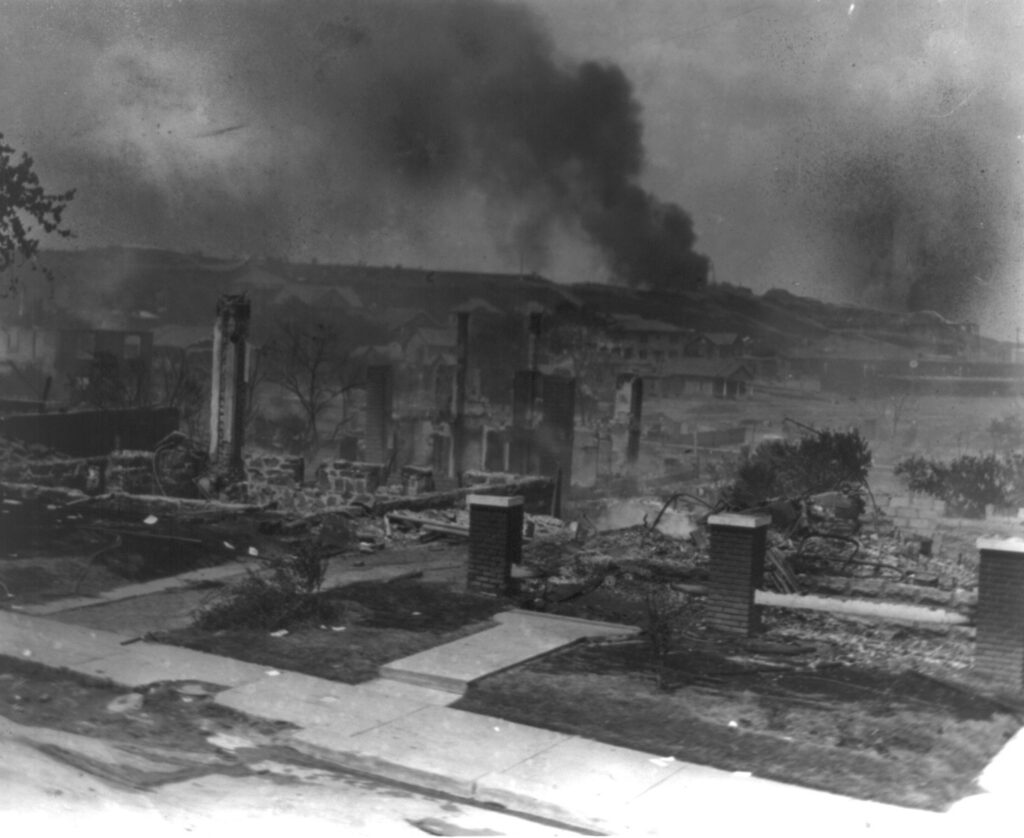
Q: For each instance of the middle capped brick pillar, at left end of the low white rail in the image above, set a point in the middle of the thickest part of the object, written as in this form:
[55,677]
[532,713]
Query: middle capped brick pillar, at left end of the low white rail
[738,561]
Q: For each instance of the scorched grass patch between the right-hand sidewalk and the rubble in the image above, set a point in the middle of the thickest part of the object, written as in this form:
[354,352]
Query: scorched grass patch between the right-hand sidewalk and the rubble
[907,741]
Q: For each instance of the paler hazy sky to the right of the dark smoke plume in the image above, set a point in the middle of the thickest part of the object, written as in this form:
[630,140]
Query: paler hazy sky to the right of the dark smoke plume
[865,152]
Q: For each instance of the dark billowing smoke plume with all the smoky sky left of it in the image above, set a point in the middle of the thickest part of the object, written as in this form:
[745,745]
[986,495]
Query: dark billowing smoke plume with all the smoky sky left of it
[411,131]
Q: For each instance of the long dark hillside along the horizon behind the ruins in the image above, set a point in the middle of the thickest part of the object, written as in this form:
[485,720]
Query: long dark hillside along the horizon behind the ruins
[124,287]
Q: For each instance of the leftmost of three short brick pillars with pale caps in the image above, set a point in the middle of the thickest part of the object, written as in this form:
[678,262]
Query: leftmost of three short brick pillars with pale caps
[495,542]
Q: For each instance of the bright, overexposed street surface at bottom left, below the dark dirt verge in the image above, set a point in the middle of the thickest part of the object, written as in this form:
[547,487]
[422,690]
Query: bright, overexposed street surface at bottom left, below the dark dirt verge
[41,792]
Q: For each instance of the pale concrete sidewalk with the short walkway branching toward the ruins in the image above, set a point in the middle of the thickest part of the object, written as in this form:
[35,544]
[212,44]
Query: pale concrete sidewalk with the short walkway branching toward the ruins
[408,733]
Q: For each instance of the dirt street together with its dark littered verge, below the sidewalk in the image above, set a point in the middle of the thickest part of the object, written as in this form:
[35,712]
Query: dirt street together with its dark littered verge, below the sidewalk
[88,757]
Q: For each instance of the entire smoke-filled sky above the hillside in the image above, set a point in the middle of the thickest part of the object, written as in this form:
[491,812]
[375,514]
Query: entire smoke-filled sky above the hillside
[869,152]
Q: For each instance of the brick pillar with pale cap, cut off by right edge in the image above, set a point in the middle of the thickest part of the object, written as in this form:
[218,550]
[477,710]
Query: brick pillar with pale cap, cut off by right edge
[1000,646]
